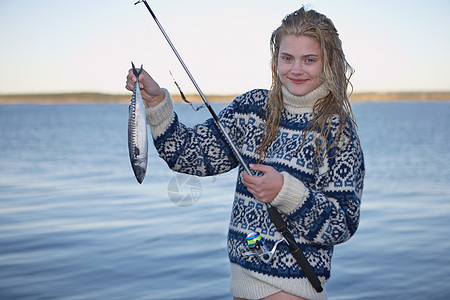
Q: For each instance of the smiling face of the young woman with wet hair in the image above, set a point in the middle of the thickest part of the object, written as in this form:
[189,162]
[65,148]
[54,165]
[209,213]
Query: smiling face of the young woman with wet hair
[299,64]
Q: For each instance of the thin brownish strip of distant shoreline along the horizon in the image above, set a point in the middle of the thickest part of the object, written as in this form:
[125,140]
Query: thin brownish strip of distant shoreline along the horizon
[92,98]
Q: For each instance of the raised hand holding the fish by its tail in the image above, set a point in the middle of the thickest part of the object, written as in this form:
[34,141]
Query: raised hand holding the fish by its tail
[150,90]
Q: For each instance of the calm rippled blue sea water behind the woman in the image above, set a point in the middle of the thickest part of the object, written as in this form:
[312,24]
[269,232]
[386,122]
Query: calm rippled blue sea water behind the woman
[75,224]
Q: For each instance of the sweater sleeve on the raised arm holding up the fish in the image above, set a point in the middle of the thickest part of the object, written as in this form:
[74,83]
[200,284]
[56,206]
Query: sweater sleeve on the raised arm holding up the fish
[201,150]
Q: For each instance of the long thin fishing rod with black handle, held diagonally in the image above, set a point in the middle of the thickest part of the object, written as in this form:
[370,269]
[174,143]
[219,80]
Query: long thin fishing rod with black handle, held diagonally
[274,214]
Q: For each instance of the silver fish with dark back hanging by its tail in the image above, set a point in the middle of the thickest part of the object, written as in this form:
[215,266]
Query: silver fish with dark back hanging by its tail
[137,131]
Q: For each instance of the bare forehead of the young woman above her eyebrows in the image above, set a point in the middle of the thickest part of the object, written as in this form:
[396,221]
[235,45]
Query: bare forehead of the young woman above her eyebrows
[299,45]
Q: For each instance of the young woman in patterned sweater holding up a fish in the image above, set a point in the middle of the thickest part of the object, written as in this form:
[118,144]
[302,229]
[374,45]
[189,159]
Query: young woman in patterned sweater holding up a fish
[299,137]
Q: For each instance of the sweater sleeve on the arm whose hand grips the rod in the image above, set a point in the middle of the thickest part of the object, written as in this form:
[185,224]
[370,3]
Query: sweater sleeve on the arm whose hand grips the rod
[327,211]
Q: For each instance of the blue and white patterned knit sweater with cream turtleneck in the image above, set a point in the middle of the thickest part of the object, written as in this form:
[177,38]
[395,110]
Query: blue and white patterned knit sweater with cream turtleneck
[320,202]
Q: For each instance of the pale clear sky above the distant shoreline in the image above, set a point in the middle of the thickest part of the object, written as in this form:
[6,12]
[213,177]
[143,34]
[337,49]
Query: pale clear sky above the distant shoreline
[65,46]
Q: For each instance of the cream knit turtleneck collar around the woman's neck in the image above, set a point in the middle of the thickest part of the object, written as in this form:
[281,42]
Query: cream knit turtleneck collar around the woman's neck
[298,104]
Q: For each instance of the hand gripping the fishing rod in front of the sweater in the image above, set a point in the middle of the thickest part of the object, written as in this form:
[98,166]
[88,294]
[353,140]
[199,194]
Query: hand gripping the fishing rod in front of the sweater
[265,188]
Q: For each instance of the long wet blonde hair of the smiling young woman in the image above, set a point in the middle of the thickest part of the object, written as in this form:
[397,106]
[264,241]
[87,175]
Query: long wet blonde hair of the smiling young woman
[335,74]
